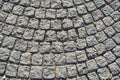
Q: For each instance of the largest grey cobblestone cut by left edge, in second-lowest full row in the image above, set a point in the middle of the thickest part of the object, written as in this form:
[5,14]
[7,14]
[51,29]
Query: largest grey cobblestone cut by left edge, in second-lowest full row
[4,54]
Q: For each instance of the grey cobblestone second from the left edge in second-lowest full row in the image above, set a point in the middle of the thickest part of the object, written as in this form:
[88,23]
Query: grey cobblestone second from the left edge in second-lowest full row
[15,56]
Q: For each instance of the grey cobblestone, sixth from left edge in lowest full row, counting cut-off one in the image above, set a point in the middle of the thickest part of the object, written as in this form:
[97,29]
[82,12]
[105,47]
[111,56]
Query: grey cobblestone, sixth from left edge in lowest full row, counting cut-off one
[61,72]
